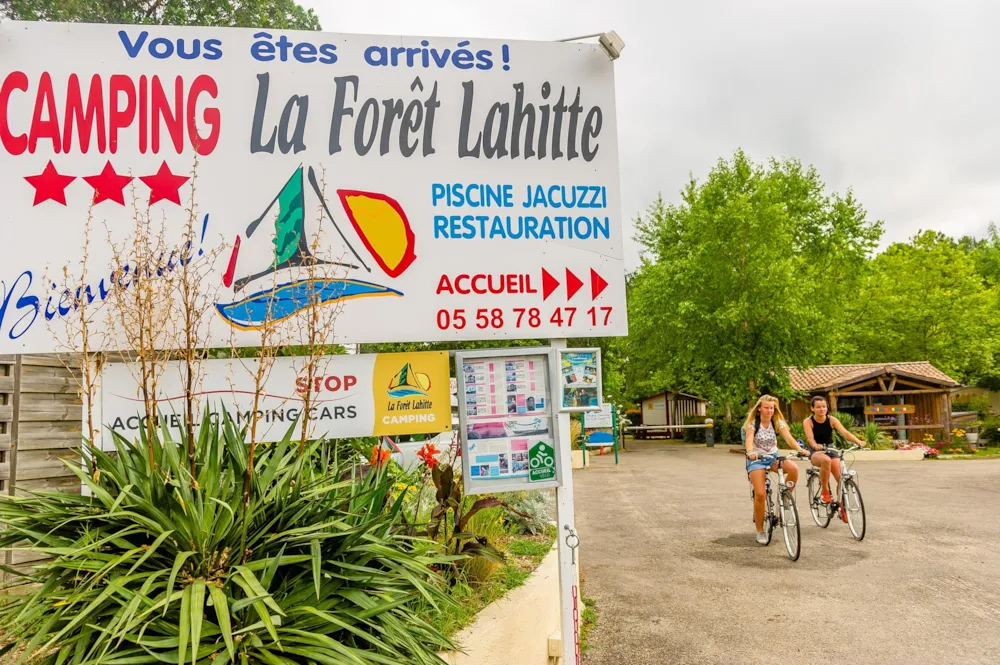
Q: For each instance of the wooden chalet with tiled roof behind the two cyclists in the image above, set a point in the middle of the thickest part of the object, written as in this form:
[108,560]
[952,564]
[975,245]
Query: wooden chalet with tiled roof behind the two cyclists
[905,399]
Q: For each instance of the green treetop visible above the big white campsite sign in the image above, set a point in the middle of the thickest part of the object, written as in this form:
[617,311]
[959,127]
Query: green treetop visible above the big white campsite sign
[275,14]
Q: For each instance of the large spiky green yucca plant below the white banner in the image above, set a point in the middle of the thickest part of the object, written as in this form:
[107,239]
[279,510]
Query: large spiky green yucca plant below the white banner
[152,567]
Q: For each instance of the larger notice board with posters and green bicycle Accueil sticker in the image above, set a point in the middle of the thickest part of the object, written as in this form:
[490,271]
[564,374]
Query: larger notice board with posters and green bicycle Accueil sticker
[508,429]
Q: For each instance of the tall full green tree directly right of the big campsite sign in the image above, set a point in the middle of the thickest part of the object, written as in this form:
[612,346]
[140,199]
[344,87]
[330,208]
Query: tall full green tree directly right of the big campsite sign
[749,274]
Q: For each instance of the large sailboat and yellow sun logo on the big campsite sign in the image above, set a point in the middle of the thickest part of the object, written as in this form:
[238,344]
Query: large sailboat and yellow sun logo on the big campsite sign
[378,221]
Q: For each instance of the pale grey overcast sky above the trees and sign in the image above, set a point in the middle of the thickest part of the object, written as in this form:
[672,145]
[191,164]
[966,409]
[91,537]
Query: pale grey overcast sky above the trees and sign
[897,99]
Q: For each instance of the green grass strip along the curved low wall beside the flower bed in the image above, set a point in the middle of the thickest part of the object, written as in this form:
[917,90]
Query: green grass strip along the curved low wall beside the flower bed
[523,554]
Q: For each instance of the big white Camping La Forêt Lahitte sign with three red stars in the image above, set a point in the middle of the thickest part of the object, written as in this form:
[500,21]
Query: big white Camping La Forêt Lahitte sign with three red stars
[461,189]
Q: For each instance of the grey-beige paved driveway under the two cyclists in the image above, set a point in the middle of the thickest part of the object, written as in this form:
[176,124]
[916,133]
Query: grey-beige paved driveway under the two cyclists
[669,555]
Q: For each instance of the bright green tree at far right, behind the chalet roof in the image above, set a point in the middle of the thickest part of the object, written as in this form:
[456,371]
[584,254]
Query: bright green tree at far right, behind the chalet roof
[925,300]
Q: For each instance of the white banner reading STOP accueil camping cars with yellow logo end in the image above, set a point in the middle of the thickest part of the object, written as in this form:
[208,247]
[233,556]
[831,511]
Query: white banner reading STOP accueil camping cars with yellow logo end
[351,395]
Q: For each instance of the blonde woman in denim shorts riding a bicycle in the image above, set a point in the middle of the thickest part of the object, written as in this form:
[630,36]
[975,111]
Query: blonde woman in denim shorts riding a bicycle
[764,422]
